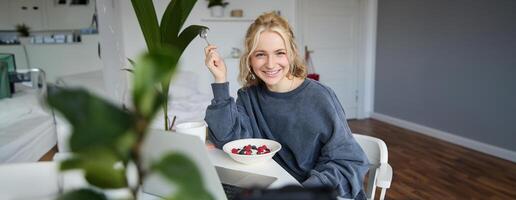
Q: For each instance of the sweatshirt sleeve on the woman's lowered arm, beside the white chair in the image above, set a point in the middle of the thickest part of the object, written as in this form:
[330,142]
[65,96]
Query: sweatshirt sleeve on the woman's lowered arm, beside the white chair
[342,164]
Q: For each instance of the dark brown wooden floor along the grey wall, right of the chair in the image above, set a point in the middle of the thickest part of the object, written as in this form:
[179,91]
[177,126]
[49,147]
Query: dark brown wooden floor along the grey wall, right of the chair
[428,168]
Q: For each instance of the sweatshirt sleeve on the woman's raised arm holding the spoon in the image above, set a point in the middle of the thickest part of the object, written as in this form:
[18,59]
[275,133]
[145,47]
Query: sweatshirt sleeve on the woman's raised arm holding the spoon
[226,119]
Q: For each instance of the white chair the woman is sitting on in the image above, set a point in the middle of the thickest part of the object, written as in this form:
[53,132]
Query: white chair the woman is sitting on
[380,172]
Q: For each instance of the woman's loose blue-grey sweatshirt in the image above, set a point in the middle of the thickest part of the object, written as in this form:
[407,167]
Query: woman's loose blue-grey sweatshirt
[309,122]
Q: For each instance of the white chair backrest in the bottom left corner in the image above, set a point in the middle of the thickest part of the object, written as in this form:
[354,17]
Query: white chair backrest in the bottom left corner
[38,180]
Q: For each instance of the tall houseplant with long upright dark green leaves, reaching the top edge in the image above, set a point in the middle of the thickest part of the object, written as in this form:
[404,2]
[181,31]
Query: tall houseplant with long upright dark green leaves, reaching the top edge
[166,34]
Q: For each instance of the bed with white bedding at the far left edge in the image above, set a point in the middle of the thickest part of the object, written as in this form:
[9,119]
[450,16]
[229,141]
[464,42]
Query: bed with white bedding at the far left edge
[27,129]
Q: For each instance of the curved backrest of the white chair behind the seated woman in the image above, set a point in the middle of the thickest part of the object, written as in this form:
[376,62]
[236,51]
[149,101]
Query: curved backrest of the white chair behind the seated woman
[376,151]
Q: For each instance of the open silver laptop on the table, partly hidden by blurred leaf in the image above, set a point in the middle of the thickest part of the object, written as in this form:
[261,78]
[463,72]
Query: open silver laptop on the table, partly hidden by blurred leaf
[159,143]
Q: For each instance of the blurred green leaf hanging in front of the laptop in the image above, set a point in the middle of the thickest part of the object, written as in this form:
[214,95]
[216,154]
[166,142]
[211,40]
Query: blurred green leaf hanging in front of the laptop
[180,170]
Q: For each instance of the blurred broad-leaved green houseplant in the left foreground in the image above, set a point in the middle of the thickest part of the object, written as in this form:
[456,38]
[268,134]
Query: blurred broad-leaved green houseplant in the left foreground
[105,136]
